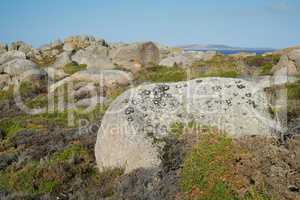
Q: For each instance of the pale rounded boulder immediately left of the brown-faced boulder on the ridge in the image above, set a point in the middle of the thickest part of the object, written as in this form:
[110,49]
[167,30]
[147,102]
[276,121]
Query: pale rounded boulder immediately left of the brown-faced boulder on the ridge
[94,56]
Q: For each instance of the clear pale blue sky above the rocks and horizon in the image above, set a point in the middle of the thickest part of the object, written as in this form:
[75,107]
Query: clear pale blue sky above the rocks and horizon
[255,23]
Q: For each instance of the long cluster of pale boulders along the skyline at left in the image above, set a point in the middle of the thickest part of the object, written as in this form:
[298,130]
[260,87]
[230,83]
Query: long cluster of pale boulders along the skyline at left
[96,54]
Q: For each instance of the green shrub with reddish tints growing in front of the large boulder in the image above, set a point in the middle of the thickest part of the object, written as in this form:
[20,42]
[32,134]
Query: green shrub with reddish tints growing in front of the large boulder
[204,168]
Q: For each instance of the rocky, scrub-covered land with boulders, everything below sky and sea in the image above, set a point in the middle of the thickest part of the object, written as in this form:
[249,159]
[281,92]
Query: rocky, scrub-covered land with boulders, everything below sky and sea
[83,118]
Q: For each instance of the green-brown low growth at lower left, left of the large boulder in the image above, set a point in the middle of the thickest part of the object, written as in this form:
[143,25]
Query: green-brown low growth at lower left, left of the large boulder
[36,178]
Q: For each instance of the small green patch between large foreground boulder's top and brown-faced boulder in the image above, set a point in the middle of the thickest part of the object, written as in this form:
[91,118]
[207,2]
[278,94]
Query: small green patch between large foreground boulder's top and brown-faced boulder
[162,74]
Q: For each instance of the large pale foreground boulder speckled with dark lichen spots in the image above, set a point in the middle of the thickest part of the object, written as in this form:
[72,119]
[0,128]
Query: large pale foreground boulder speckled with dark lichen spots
[134,127]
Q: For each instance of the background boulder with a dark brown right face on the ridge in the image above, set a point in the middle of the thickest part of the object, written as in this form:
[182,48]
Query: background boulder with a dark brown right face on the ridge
[145,54]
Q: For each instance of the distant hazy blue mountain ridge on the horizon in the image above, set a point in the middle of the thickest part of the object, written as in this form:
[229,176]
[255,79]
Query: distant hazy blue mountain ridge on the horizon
[218,47]
